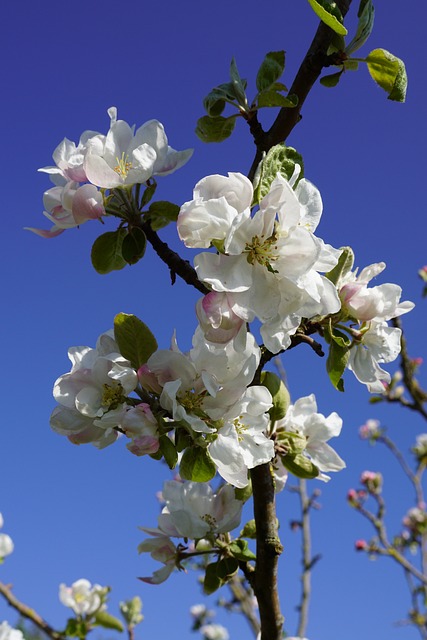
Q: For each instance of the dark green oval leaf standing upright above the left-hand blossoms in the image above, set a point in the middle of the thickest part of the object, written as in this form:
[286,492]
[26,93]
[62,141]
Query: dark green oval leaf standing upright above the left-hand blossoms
[135,340]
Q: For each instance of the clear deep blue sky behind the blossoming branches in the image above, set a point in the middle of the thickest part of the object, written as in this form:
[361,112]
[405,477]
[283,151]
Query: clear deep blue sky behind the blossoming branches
[74,511]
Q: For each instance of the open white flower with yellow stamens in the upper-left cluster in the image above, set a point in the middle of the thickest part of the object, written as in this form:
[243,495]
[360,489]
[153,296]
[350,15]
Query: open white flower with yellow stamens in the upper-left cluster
[126,157]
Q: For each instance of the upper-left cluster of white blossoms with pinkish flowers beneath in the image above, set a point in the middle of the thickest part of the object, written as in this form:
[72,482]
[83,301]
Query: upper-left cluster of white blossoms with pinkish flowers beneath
[121,158]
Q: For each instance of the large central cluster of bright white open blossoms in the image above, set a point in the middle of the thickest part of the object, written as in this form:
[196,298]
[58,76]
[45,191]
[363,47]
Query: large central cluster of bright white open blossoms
[267,265]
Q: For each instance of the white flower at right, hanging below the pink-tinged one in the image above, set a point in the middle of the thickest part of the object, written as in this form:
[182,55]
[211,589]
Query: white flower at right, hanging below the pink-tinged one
[379,343]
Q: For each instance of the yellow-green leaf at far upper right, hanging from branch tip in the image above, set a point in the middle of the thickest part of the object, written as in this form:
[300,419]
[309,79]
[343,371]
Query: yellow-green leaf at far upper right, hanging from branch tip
[389,73]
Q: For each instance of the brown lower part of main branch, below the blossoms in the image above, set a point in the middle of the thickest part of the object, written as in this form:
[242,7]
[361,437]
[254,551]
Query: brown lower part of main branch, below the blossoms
[269,548]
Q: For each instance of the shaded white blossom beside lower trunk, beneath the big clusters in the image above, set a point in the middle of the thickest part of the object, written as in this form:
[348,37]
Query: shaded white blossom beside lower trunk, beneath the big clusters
[194,511]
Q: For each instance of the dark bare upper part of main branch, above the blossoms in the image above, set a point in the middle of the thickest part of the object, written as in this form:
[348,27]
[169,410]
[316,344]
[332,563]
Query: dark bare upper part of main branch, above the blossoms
[311,67]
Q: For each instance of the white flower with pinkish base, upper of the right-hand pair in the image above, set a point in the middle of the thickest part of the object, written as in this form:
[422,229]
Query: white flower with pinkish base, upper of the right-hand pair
[379,303]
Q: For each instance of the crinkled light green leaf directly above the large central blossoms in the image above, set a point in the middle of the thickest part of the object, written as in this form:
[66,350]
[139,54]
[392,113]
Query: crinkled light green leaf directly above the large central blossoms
[280,159]
